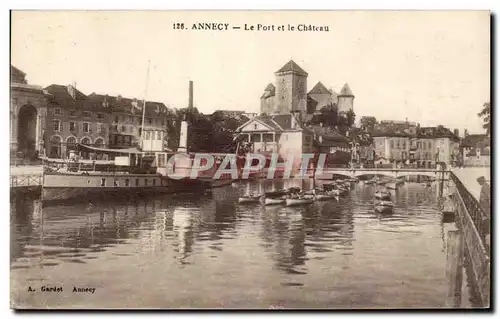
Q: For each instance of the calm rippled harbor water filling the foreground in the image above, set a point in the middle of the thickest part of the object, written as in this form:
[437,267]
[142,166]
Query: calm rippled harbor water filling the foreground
[186,251]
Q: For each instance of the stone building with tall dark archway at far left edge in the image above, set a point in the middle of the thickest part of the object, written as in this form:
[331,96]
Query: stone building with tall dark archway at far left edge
[27,116]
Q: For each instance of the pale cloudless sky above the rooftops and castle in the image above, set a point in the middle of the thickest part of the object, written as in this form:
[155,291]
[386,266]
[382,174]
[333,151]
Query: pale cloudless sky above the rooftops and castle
[427,67]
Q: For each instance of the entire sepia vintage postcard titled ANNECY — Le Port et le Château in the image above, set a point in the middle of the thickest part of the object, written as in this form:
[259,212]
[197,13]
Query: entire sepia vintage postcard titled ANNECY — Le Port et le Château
[250,159]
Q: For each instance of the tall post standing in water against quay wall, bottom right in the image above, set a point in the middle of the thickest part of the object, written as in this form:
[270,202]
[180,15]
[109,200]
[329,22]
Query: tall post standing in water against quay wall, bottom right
[455,257]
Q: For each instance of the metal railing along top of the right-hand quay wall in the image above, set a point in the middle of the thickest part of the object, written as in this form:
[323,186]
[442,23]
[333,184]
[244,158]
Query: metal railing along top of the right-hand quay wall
[479,217]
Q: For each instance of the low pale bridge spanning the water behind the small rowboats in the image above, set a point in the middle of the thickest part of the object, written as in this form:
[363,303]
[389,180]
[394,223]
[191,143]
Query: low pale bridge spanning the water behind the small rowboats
[328,173]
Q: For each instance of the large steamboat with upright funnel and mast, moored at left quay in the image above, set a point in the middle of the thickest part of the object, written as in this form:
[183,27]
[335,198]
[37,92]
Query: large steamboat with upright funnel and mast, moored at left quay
[129,172]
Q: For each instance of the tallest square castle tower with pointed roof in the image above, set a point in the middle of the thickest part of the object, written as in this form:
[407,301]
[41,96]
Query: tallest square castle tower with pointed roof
[291,89]
